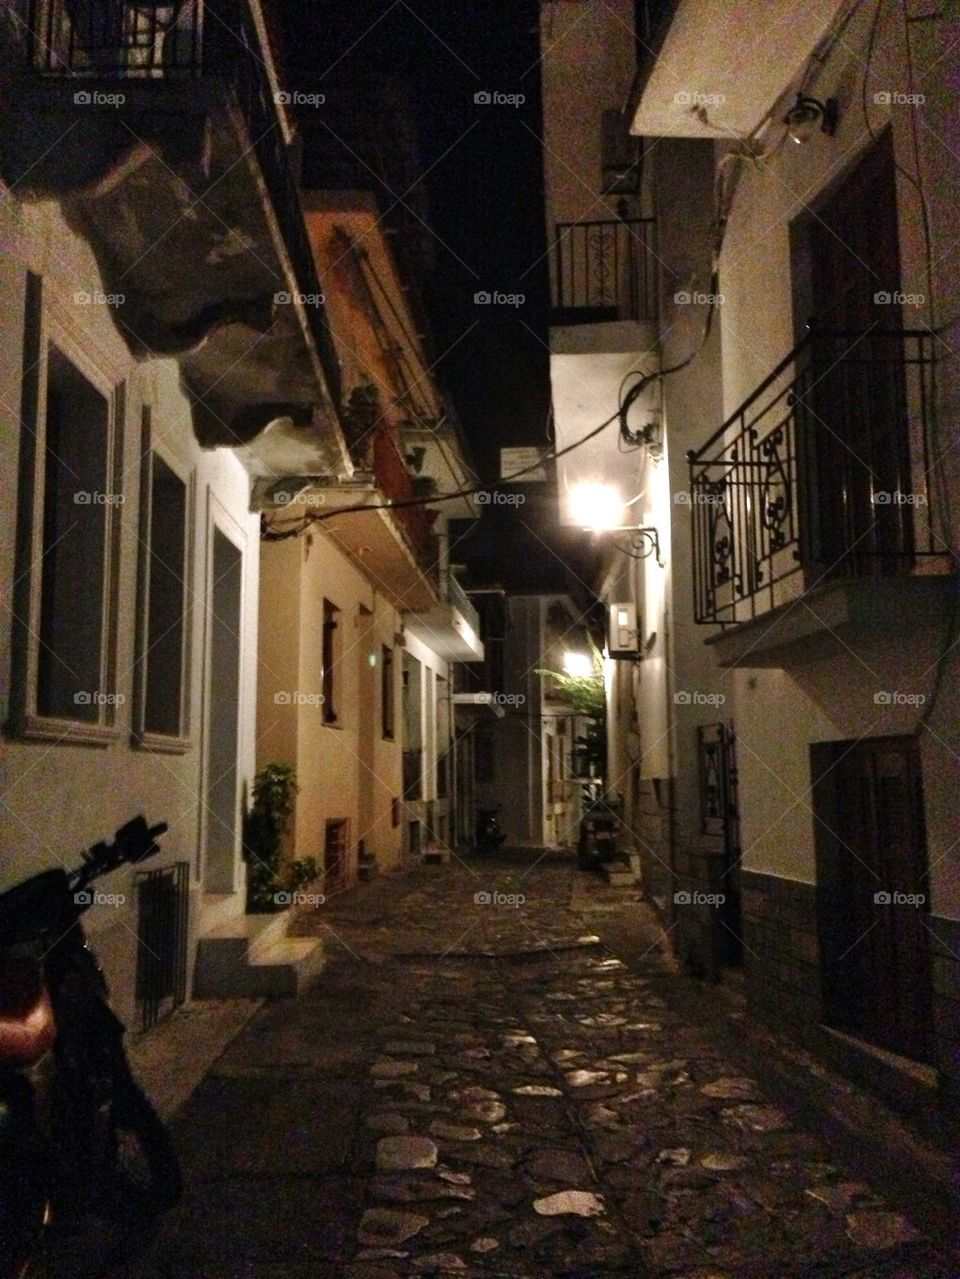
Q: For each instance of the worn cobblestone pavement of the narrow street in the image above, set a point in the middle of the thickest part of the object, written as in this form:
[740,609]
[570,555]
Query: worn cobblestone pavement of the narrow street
[481,1088]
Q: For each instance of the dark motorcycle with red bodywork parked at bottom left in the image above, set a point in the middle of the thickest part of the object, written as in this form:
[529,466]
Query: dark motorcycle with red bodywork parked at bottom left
[86,1163]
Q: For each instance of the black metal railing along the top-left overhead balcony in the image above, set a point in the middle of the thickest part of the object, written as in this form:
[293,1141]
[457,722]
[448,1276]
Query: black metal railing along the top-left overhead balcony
[187,40]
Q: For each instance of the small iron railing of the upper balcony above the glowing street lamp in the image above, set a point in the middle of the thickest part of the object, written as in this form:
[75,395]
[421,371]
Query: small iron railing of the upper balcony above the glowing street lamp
[605,271]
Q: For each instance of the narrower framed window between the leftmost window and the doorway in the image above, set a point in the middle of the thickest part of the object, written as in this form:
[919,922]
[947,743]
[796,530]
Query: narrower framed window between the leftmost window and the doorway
[162,666]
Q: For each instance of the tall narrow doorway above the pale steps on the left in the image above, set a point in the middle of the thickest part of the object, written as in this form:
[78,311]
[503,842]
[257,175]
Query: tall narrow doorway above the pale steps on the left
[222,774]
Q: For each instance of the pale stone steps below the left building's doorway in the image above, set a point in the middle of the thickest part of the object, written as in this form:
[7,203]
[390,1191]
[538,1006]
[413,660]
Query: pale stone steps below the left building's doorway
[252,957]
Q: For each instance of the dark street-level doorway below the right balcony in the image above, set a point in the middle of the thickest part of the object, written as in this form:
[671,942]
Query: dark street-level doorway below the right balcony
[872,892]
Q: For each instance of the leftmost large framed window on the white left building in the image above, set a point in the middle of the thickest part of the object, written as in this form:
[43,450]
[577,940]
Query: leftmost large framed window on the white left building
[65,663]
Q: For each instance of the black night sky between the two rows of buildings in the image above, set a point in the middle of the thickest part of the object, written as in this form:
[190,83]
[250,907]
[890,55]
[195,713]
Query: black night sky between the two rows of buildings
[481,171]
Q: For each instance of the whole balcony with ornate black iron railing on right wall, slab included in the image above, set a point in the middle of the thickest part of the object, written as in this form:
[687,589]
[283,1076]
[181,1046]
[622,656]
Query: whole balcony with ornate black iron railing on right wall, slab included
[821,489]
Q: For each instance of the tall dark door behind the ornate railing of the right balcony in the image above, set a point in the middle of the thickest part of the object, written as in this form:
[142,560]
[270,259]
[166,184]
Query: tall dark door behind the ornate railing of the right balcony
[858,421]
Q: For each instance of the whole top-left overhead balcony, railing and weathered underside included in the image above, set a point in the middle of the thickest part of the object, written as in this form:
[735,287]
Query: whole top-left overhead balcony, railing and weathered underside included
[164,132]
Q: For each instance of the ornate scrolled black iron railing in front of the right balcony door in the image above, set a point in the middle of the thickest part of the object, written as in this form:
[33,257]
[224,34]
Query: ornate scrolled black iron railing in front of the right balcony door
[825,473]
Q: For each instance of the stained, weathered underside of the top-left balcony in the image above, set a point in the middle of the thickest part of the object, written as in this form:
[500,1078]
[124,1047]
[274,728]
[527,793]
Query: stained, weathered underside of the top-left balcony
[168,192]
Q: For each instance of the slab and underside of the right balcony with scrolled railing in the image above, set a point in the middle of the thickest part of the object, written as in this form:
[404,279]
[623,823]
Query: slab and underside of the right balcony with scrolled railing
[838,620]
